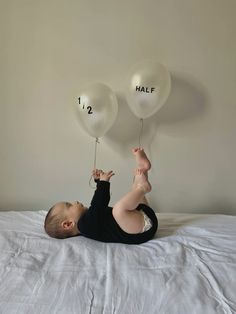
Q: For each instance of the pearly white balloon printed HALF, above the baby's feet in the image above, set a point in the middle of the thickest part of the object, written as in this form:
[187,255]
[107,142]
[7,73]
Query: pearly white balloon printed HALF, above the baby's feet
[149,85]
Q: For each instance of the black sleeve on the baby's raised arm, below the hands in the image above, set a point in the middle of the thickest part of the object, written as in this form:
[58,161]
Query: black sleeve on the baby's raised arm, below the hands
[101,197]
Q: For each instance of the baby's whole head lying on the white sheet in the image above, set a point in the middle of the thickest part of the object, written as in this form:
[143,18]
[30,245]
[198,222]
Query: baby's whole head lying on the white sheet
[61,219]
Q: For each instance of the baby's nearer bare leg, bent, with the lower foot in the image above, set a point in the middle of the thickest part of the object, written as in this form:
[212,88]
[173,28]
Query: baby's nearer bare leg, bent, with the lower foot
[129,219]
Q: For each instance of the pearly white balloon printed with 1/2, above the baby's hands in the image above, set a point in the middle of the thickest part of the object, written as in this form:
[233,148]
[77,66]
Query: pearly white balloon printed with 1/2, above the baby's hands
[97,109]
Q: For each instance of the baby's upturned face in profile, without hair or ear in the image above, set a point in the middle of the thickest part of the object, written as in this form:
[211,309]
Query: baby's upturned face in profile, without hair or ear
[72,210]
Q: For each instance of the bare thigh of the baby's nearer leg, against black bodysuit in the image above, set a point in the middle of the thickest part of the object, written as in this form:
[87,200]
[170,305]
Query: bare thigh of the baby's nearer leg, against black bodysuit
[131,221]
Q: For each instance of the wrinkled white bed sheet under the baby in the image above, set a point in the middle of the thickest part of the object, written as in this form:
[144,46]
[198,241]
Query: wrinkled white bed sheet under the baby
[189,267]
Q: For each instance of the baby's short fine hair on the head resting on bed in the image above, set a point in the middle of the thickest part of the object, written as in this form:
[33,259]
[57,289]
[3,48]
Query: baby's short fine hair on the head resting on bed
[53,227]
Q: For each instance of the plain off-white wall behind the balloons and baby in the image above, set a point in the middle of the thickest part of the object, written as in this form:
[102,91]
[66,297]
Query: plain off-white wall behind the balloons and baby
[50,48]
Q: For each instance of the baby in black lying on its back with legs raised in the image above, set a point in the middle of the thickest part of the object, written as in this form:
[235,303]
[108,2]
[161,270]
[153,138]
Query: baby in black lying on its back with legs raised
[130,221]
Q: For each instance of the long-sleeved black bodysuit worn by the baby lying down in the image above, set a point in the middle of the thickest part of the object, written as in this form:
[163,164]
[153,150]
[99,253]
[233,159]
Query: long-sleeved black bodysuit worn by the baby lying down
[99,224]
